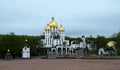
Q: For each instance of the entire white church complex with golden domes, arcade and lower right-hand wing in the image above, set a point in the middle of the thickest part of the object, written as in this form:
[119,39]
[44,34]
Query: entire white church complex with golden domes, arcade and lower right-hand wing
[54,39]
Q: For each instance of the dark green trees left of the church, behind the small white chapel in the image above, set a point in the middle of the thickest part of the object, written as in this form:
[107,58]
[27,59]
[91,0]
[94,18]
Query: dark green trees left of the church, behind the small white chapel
[15,43]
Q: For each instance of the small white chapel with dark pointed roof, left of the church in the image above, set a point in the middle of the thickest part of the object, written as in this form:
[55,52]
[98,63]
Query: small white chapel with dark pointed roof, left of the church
[26,51]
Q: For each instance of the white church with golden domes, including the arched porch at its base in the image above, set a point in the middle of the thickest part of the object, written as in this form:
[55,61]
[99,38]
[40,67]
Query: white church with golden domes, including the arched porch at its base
[54,38]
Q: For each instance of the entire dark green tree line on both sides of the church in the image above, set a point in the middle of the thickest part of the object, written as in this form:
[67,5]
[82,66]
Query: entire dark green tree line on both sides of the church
[15,43]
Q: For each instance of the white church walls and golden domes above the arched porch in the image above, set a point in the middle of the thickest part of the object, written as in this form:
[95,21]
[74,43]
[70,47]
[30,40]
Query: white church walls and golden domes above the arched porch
[54,35]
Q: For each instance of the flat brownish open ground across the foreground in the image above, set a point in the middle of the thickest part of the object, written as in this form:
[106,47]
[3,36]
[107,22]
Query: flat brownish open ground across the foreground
[60,64]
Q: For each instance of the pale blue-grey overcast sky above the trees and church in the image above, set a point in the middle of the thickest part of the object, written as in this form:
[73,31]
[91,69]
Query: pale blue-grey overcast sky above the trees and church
[79,17]
